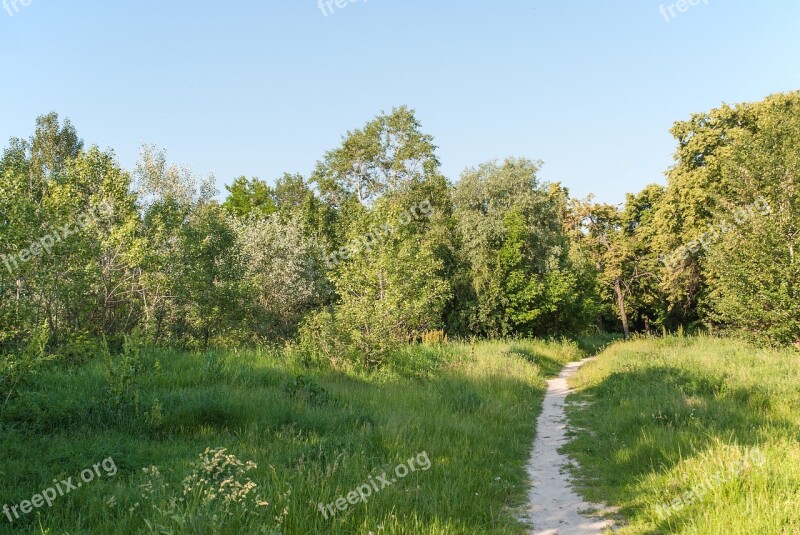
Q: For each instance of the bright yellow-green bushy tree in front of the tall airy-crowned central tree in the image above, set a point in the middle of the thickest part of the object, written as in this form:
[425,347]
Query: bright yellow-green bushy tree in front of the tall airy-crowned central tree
[390,288]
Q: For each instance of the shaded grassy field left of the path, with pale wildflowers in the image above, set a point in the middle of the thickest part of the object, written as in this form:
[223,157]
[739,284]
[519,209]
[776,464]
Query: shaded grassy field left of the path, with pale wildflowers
[150,424]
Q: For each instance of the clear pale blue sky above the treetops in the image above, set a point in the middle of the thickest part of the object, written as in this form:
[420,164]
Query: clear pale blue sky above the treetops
[259,88]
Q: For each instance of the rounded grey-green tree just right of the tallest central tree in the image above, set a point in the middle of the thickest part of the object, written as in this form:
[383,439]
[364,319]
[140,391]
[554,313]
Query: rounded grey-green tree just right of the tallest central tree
[511,237]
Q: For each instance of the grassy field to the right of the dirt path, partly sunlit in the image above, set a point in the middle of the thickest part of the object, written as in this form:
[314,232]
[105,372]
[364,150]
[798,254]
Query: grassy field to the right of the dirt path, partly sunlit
[691,436]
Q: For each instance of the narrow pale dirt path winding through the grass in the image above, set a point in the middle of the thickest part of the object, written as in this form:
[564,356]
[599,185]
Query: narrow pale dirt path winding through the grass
[553,506]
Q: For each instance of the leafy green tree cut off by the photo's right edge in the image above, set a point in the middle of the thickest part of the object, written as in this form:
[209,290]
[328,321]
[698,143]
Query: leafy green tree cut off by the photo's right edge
[755,266]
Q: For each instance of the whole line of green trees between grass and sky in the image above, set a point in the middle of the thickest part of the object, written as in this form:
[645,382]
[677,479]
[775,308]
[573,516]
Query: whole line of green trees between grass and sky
[377,248]
